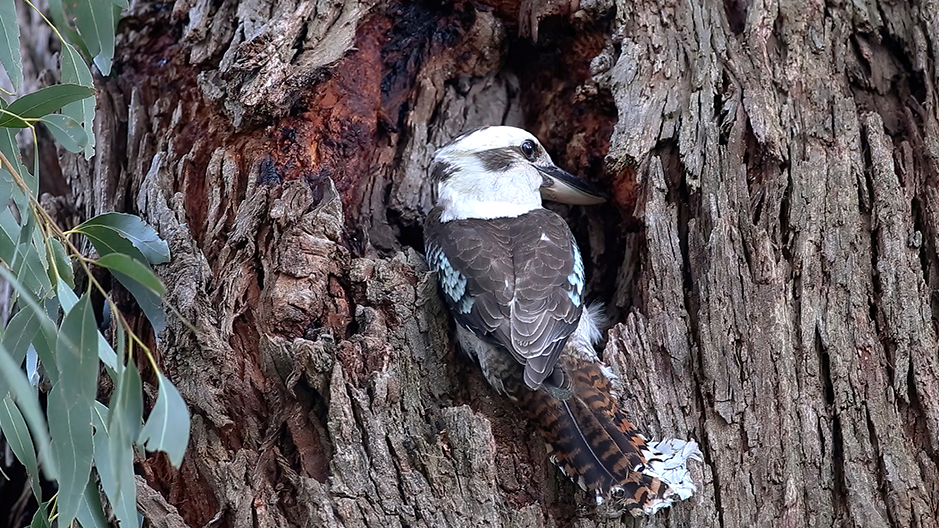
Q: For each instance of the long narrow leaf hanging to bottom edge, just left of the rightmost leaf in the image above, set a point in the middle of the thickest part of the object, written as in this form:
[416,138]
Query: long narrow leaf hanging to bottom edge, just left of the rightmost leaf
[124,424]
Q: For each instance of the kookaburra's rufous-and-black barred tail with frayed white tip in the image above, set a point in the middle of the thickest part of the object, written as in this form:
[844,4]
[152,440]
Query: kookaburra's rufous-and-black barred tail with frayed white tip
[593,443]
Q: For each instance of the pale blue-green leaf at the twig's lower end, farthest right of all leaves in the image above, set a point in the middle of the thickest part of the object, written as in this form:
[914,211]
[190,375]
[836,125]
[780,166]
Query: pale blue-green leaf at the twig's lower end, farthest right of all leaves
[167,428]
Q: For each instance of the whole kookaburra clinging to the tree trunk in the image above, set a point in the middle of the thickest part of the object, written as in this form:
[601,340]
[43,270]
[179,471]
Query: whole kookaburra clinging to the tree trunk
[512,276]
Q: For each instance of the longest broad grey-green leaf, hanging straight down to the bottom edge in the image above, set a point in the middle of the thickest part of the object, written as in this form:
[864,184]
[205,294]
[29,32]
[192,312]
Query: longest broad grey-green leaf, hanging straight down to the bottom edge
[70,404]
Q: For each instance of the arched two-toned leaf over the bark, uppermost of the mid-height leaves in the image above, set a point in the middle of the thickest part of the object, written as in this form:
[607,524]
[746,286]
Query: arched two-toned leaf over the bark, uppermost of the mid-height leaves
[116,232]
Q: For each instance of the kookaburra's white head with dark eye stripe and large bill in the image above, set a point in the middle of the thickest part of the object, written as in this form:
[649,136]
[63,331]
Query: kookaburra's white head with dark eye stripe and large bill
[501,171]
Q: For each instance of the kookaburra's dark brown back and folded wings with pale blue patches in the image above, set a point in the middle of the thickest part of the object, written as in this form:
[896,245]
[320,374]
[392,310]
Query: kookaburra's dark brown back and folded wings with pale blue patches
[515,282]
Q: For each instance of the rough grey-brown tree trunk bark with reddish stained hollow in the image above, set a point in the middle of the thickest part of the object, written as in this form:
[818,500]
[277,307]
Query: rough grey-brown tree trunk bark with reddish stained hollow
[768,255]
